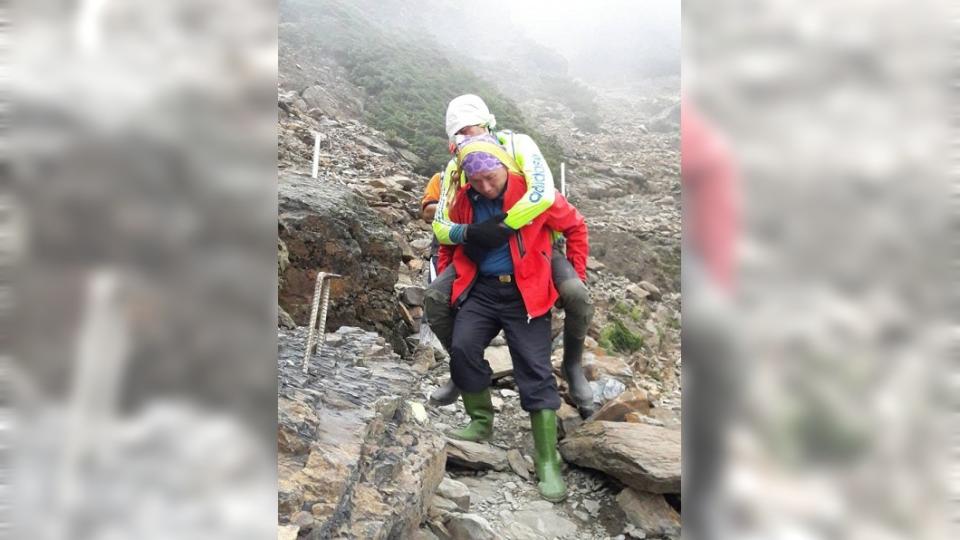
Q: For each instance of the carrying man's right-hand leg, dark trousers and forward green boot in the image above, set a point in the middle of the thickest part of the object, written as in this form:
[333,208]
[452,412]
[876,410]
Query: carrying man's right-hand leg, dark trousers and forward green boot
[529,343]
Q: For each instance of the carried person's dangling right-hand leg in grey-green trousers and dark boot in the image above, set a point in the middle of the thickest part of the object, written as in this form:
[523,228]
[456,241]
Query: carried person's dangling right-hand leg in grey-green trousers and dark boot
[578,308]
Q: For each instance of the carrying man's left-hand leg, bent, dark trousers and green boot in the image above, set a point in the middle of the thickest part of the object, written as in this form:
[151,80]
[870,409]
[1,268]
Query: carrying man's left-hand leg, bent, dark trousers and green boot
[475,328]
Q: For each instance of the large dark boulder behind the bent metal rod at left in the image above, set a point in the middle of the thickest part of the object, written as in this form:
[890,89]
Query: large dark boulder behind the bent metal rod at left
[327,227]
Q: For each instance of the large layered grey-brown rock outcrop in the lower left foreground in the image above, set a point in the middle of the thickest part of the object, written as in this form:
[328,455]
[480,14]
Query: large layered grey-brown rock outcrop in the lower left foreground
[351,450]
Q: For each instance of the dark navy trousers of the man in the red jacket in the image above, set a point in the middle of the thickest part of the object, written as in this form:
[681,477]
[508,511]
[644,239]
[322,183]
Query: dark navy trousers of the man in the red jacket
[490,307]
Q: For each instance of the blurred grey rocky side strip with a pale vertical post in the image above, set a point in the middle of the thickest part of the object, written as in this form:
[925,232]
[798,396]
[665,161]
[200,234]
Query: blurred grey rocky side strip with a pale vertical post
[139,292]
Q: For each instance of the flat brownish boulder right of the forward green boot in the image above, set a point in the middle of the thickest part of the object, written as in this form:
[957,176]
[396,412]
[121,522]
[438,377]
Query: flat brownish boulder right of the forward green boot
[644,457]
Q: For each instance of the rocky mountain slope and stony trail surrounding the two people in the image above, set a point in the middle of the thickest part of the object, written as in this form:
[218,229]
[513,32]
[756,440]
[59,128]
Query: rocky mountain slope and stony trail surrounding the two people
[362,453]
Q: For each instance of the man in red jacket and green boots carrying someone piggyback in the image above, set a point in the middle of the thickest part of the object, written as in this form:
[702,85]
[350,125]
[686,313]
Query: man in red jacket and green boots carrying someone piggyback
[507,286]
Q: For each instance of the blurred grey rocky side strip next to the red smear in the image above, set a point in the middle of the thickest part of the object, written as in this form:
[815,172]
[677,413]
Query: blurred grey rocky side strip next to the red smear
[831,409]
